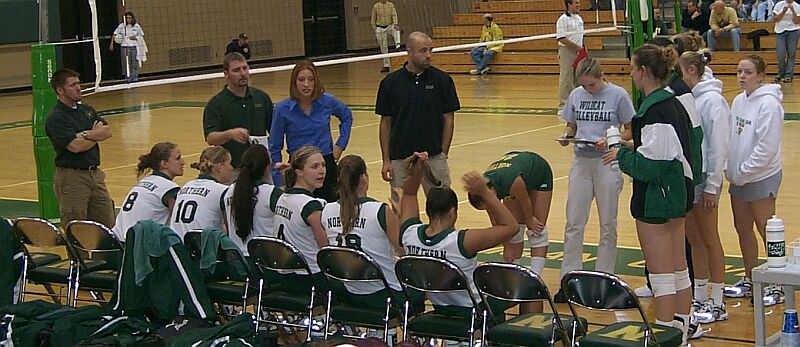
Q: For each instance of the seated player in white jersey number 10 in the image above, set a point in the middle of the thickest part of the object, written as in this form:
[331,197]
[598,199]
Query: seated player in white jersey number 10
[199,202]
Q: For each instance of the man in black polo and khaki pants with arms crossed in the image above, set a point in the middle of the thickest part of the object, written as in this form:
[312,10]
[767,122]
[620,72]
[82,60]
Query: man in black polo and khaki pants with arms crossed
[75,131]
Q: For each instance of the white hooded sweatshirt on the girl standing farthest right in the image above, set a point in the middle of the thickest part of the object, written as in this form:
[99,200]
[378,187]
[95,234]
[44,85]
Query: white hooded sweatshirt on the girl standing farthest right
[756,132]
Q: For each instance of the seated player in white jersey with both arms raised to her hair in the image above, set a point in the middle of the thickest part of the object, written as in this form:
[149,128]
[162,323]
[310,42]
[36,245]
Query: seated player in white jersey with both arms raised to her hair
[440,239]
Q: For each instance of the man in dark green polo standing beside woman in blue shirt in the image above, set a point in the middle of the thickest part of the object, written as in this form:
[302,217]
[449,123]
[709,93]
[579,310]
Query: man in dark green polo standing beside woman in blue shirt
[240,115]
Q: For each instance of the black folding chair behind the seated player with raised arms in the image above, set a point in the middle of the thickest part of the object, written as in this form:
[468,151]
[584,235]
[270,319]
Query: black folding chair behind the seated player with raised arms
[433,275]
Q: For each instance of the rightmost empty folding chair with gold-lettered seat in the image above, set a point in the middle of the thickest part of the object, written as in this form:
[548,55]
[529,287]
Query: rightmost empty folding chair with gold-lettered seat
[602,291]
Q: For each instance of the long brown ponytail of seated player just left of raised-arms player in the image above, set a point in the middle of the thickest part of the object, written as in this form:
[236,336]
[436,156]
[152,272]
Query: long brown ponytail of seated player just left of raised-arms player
[351,168]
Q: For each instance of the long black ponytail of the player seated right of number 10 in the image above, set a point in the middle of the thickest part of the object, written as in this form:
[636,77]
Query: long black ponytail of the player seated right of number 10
[255,161]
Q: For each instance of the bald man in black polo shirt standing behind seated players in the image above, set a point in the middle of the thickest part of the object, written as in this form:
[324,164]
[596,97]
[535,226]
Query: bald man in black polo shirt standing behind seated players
[416,105]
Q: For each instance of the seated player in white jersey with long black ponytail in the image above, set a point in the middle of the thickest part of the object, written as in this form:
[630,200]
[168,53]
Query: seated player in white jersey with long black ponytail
[250,201]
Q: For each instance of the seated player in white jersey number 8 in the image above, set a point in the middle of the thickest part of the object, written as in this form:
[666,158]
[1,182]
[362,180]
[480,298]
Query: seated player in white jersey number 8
[153,195]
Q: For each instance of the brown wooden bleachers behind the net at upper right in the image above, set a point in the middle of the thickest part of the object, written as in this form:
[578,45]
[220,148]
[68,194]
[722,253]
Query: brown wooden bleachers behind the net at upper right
[538,17]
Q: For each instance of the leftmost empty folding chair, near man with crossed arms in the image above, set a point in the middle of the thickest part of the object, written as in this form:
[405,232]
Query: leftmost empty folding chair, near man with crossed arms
[43,268]
